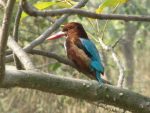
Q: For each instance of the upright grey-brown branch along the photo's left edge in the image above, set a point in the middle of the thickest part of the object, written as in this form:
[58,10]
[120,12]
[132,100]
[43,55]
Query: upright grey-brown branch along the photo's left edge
[4,35]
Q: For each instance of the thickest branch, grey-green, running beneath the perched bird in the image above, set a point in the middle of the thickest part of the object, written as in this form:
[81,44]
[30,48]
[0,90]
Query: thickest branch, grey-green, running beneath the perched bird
[82,89]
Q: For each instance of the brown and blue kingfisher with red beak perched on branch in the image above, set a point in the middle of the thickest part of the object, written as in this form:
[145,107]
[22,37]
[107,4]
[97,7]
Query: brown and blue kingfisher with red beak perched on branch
[82,51]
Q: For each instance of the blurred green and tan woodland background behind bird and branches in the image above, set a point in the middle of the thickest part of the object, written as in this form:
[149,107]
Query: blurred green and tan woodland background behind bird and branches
[133,50]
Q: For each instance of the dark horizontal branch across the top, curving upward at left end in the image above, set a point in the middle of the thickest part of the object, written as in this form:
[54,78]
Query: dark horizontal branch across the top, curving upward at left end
[34,12]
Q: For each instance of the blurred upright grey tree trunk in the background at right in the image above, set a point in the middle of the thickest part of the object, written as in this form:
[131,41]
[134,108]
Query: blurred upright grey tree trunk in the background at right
[128,52]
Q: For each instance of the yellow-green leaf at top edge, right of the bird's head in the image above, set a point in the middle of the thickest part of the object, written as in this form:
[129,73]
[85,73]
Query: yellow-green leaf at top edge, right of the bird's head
[109,3]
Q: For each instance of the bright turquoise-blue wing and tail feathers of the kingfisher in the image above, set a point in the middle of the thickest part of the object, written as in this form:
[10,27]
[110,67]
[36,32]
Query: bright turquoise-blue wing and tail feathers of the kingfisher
[91,50]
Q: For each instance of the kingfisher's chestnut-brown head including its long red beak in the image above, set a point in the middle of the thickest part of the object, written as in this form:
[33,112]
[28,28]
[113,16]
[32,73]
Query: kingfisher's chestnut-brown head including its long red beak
[70,29]
